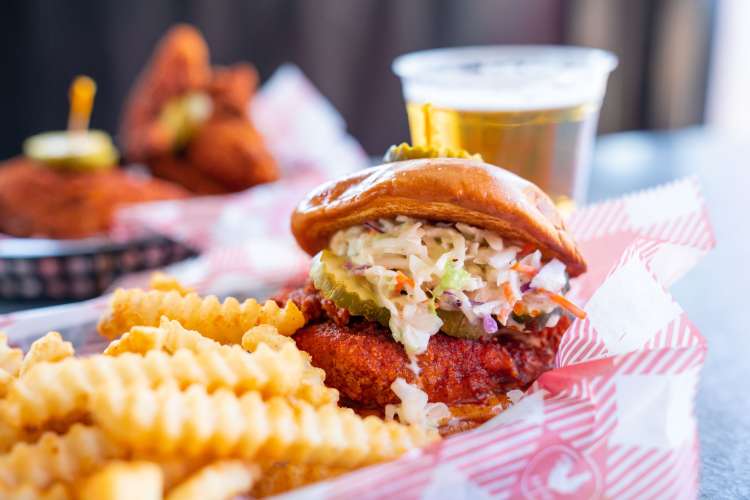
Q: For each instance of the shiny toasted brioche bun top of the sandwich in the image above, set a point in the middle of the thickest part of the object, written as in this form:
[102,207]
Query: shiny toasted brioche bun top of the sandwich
[438,189]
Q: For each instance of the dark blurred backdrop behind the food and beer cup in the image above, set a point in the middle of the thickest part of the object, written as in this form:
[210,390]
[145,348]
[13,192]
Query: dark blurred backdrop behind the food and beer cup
[345,48]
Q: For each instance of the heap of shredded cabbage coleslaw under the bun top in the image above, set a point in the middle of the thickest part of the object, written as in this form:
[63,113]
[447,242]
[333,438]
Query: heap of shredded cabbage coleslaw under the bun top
[416,267]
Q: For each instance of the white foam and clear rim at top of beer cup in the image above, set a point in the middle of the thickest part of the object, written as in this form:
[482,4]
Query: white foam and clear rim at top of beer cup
[512,78]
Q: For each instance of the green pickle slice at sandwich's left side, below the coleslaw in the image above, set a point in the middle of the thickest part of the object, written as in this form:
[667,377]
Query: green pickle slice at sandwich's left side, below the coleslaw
[353,293]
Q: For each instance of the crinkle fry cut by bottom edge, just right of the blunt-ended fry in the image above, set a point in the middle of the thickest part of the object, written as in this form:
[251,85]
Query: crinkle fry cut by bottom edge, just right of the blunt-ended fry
[218,481]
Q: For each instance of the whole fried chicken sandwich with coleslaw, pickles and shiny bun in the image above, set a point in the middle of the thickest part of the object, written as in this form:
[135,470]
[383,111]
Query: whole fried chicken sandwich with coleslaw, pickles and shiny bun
[437,287]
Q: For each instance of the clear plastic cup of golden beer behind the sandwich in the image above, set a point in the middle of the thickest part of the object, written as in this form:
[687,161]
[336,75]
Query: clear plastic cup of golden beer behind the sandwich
[530,109]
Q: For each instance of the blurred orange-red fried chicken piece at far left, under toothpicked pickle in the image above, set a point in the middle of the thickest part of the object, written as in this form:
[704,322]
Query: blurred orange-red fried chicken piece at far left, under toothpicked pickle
[38,201]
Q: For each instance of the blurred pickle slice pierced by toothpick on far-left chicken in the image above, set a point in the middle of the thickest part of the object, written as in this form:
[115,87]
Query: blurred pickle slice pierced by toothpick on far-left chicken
[78,150]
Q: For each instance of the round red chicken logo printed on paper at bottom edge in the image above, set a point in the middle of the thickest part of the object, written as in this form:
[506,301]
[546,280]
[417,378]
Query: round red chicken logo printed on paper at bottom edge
[560,472]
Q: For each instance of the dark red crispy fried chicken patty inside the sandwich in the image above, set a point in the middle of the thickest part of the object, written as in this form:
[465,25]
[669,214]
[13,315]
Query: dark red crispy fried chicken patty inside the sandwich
[361,359]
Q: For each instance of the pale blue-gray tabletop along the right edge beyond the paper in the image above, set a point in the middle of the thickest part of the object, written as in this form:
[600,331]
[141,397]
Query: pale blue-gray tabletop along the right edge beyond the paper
[713,293]
